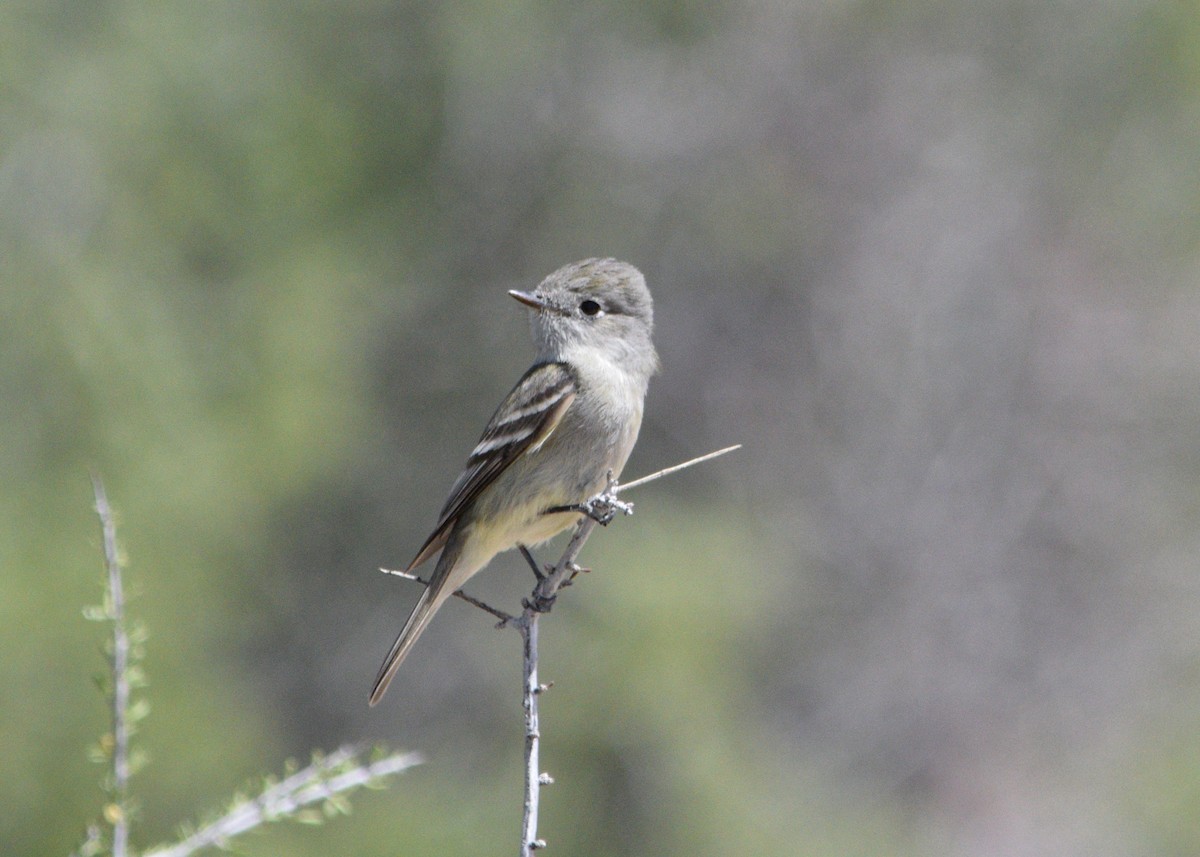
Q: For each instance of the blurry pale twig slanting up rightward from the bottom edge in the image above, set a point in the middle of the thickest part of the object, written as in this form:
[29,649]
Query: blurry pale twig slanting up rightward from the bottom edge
[323,781]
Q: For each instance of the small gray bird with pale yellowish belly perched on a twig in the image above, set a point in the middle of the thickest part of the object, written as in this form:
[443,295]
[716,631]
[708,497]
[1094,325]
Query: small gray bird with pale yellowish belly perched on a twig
[572,419]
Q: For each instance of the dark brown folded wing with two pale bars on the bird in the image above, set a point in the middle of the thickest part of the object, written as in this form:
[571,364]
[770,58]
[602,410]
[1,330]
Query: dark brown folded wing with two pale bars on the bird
[524,422]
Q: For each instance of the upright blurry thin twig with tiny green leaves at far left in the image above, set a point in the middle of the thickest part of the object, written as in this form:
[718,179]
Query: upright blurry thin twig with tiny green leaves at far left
[117,812]
